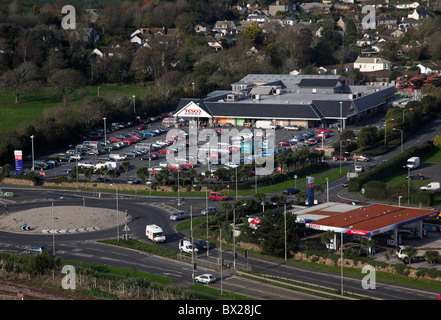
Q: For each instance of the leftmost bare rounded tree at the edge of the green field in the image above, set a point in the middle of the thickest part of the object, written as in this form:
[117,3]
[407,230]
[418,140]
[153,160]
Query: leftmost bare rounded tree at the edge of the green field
[20,79]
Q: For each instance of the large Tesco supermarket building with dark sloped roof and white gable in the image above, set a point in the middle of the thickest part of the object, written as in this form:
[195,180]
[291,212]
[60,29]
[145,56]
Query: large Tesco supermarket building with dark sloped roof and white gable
[302,100]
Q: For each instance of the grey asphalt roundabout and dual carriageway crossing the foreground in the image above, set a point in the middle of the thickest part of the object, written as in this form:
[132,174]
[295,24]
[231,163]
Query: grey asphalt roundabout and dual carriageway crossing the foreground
[83,247]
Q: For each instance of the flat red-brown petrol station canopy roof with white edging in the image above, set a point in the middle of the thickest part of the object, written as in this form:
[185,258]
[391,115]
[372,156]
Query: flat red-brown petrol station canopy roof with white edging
[362,220]
